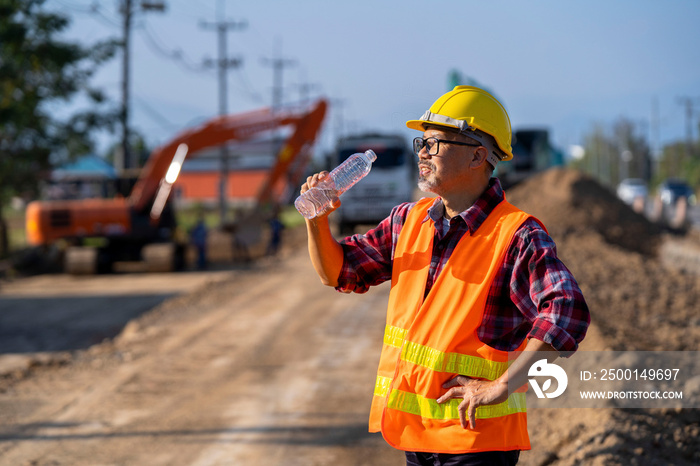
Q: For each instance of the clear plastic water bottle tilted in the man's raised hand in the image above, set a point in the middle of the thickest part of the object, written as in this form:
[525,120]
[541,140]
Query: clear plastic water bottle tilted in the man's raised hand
[342,178]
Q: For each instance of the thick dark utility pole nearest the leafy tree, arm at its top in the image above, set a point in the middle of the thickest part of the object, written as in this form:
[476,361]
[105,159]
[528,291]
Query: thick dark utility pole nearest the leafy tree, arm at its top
[123,161]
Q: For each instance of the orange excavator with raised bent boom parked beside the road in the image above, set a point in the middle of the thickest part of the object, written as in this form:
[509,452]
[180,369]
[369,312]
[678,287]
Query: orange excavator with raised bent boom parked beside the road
[141,227]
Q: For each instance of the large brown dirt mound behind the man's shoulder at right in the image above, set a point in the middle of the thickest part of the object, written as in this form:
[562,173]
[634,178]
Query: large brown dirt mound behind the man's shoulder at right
[638,302]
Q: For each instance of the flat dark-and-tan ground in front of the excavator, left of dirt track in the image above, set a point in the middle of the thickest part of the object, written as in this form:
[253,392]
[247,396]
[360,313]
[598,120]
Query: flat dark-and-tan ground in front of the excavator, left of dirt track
[54,313]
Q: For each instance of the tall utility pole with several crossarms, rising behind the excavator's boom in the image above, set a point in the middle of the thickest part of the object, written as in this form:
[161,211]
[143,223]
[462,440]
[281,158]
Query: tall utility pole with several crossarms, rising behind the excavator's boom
[223,64]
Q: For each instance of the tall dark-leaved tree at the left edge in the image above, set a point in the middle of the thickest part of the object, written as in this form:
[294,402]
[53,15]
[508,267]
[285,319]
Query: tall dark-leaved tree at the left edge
[39,71]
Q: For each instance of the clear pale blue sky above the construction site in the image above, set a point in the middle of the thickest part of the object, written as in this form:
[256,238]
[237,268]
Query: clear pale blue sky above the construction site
[560,64]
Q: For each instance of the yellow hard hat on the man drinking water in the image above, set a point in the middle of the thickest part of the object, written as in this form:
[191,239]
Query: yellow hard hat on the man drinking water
[471,110]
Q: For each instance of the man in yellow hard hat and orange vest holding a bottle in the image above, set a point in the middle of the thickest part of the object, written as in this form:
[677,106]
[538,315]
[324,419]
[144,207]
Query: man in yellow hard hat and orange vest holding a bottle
[478,293]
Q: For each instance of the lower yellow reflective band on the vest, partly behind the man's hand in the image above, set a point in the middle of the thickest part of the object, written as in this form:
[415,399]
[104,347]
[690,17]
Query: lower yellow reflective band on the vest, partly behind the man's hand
[430,409]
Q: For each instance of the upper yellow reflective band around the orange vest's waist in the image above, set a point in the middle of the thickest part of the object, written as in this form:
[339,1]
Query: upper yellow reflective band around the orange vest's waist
[455,363]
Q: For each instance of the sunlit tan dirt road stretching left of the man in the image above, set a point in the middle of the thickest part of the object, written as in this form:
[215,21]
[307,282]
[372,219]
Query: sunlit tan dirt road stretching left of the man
[263,367]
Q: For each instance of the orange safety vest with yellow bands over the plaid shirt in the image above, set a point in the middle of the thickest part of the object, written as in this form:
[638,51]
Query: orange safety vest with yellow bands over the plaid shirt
[429,341]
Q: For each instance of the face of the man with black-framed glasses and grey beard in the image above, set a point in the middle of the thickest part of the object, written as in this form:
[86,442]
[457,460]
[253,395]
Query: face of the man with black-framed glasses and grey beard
[448,170]
